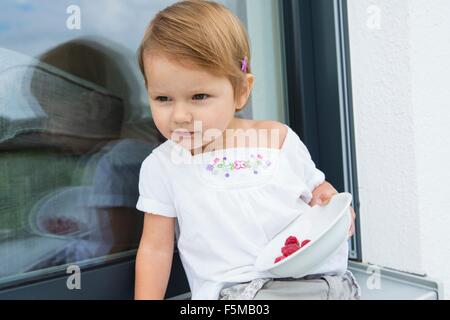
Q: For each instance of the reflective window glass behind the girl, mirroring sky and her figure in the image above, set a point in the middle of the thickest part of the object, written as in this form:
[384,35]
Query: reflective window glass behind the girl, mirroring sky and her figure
[75,125]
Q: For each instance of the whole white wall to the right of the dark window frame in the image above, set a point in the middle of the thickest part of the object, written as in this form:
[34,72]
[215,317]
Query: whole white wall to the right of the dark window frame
[400,58]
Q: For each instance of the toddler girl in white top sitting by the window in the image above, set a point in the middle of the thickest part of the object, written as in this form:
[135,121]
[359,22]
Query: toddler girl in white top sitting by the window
[225,186]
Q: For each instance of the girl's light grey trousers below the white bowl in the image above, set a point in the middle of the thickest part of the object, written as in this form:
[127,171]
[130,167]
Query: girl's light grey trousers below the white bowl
[314,287]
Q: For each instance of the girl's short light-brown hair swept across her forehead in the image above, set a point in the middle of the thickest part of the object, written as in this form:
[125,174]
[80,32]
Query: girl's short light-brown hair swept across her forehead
[204,33]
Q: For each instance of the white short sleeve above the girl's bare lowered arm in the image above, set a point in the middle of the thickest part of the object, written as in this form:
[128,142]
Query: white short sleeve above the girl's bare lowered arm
[154,193]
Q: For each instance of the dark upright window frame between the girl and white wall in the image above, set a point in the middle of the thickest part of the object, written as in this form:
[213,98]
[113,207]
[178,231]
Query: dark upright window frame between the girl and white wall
[319,95]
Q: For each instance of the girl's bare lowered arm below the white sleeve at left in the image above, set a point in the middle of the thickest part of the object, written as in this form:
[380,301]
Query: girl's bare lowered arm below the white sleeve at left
[154,257]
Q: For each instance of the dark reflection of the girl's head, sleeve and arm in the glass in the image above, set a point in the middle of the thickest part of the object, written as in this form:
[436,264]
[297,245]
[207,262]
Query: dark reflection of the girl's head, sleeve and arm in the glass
[117,162]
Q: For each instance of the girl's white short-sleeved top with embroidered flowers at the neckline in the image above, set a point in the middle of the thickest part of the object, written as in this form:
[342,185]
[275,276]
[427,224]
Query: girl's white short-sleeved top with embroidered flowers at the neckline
[229,204]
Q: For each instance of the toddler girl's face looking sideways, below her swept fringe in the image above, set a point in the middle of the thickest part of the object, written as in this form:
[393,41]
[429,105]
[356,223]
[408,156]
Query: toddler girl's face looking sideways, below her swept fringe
[181,96]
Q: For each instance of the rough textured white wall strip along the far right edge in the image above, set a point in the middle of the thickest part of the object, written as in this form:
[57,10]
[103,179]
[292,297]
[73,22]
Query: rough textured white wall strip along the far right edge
[430,35]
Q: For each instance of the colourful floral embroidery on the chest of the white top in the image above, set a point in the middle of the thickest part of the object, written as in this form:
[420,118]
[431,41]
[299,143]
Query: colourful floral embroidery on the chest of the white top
[227,167]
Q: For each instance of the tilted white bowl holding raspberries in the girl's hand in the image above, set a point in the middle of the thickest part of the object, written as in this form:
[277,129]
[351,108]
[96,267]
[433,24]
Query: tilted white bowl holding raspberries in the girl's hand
[326,226]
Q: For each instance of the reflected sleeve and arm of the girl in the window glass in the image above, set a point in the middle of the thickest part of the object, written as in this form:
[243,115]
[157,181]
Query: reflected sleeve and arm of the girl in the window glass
[115,193]
